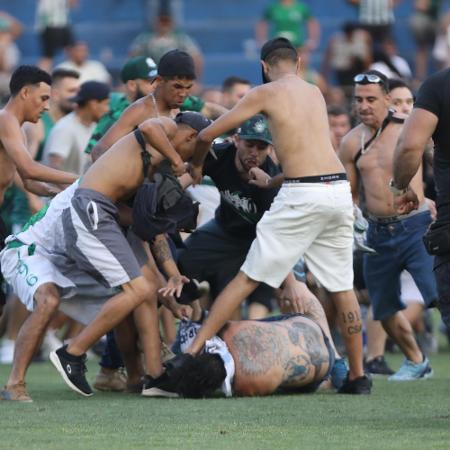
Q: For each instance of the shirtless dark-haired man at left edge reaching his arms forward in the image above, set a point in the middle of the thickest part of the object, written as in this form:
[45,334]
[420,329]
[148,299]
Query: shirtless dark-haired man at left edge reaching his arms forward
[30,95]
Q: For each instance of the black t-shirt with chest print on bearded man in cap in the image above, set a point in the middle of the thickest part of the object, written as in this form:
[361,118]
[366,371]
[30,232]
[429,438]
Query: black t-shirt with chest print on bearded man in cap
[241,204]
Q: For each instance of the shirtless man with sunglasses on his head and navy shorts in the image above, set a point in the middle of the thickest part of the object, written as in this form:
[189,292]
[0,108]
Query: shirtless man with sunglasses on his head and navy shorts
[367,153]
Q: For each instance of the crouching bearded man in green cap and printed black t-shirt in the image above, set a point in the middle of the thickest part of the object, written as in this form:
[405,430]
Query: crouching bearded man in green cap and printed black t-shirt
[216,251]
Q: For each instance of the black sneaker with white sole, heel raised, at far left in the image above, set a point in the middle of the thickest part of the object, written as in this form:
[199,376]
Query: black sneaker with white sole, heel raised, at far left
[72,369]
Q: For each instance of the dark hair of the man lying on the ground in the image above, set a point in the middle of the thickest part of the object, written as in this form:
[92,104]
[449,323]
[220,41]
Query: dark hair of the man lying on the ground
[200,376]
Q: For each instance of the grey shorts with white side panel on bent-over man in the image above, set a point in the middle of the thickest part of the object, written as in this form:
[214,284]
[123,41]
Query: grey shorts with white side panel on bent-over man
[95,242]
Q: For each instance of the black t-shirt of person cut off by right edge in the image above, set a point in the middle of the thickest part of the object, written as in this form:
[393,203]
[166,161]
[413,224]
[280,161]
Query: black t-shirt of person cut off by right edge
[434,96]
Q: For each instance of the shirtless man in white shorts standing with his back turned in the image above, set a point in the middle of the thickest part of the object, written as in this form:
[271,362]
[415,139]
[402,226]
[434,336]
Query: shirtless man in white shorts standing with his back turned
[312,216]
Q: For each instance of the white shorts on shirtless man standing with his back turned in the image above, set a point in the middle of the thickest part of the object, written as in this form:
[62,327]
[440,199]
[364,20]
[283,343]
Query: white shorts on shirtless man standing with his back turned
[310,220]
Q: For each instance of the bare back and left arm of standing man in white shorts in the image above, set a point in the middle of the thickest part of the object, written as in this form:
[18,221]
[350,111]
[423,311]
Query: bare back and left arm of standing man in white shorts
[303,146]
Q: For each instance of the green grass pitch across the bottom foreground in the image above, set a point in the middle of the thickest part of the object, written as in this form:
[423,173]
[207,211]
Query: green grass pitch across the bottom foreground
[413,415]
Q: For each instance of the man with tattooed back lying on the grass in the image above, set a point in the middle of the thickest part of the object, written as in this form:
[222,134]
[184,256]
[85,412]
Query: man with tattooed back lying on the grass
[290,352]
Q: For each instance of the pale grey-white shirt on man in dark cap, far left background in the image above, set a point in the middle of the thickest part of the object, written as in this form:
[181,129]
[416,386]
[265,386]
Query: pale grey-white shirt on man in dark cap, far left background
[68,139]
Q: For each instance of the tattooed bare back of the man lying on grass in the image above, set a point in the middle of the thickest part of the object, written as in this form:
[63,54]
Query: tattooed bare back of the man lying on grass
[268,355]
